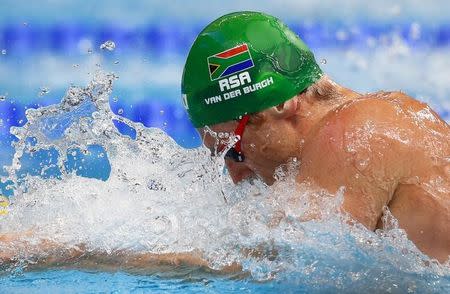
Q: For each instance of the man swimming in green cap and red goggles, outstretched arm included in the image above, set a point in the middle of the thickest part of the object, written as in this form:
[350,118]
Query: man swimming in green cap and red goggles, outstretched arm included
[247,74]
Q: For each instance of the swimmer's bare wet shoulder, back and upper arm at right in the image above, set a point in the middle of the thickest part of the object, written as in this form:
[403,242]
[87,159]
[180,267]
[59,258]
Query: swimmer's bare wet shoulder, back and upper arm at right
[387,149]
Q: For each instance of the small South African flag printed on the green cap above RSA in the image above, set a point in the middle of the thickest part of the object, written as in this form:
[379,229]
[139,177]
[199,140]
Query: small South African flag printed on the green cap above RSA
[229,62]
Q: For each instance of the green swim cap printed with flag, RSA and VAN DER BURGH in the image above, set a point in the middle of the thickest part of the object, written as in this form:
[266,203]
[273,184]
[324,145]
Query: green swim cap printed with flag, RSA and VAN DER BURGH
[243,63]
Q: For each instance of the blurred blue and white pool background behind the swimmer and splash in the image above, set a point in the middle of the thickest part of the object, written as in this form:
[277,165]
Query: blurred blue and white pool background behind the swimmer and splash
[46,46]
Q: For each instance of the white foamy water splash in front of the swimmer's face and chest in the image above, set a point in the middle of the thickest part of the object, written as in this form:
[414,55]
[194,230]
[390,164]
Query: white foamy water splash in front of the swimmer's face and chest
[158,197]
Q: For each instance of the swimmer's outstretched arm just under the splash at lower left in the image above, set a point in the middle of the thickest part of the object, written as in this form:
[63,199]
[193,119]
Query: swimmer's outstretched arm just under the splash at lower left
[44,253]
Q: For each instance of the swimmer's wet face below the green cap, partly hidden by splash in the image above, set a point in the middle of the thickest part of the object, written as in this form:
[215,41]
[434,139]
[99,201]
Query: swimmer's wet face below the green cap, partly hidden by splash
[265,145]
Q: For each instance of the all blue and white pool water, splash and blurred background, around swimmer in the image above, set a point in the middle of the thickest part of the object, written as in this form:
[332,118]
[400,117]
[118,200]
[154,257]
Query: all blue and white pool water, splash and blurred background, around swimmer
[103,155]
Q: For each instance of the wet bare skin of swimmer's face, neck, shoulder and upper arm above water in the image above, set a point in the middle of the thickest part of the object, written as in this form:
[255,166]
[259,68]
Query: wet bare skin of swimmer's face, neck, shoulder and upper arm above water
[386,149]
